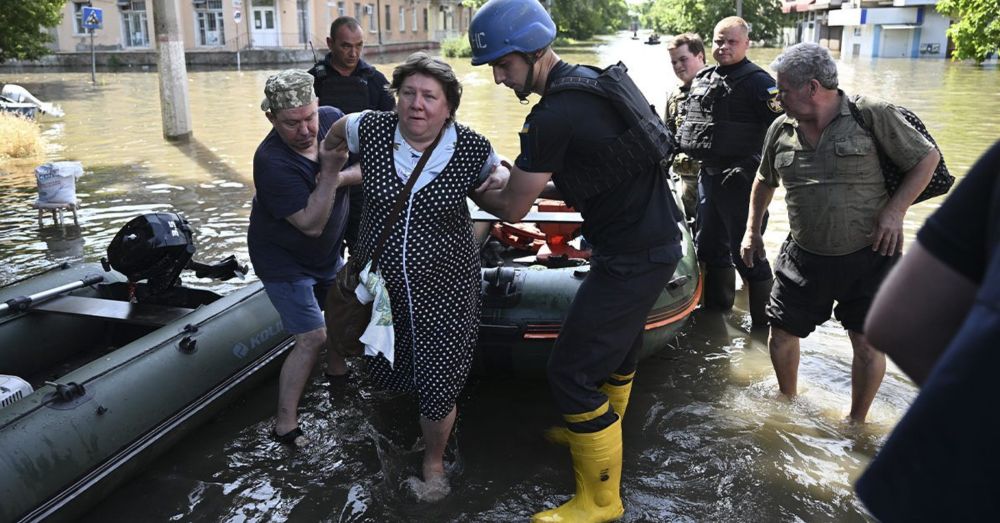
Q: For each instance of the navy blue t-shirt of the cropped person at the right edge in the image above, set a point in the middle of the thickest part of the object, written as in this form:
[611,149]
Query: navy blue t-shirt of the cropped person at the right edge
[940,462]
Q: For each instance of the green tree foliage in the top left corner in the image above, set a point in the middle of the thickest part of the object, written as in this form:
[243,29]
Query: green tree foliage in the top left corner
[22,27]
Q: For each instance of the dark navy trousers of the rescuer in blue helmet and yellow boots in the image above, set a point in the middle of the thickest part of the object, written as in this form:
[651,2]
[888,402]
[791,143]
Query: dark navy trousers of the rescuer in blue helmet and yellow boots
[602,333]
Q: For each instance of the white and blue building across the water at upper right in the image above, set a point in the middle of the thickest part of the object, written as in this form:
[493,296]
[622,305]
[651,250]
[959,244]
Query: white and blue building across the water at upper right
[871,28]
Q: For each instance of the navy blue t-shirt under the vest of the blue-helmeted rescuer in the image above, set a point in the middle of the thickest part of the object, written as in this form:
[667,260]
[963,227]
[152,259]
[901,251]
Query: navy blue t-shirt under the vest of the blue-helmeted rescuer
[561,130]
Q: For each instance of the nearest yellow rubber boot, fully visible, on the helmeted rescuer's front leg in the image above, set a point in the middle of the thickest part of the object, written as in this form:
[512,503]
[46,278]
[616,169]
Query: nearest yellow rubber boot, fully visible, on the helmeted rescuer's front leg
[597,465]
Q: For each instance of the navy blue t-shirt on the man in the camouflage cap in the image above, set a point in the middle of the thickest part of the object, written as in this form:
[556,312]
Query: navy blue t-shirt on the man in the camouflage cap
[283,181]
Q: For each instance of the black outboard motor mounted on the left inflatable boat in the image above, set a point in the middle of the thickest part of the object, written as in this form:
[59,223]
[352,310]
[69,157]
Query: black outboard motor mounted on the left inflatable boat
[156,247]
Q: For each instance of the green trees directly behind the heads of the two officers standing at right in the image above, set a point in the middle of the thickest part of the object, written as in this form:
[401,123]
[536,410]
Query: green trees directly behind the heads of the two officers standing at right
[700,16]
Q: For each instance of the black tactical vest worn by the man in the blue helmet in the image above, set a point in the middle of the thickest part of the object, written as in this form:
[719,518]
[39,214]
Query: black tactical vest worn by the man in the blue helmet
[639,150]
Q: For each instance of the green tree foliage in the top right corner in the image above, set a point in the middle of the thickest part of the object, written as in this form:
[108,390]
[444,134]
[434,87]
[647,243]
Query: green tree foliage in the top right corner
[977,32]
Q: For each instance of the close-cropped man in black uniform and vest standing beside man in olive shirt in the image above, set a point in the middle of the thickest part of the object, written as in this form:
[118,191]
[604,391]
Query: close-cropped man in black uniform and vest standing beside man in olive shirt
[729,109]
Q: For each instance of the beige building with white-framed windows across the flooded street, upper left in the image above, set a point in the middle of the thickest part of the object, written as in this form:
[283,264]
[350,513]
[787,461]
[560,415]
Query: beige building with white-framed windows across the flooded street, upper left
[246,25]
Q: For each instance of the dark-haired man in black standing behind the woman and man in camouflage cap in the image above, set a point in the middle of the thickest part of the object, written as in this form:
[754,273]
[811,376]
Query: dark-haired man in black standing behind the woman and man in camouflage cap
[345,81]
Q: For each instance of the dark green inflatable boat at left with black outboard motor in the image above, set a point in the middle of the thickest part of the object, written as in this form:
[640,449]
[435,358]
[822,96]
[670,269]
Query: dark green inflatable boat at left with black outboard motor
[94,384]
